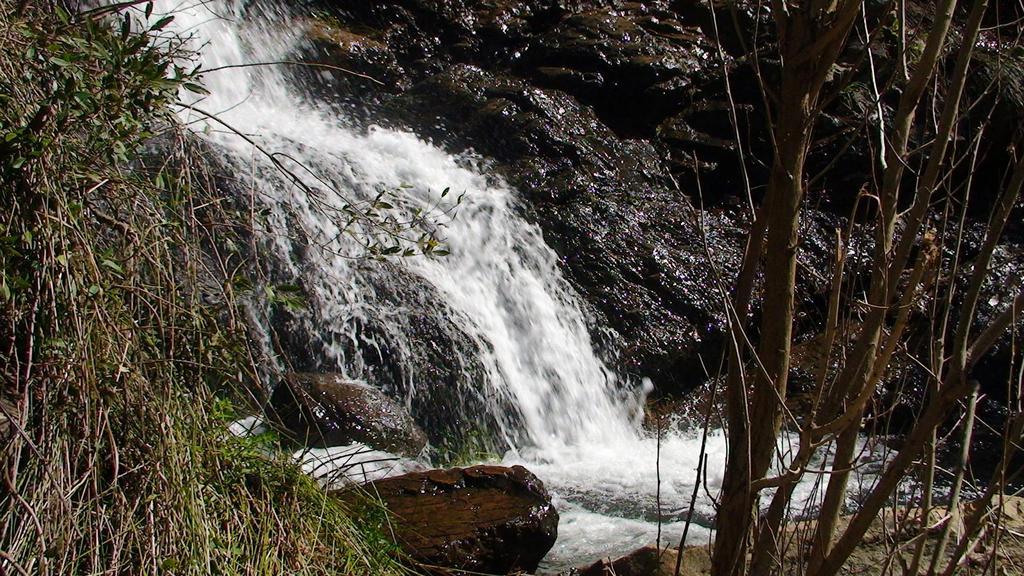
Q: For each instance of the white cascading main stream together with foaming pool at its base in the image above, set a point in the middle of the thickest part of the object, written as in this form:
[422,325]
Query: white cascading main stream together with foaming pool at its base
[579,431]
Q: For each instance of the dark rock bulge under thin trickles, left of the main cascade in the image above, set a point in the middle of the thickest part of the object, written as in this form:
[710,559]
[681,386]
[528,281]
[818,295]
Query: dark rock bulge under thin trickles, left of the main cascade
[421,357]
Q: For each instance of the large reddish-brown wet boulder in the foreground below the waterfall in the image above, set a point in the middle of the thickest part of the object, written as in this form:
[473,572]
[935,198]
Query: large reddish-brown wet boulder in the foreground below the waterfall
[493,520]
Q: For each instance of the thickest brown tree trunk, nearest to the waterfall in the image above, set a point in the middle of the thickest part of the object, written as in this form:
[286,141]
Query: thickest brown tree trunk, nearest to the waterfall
[810,40]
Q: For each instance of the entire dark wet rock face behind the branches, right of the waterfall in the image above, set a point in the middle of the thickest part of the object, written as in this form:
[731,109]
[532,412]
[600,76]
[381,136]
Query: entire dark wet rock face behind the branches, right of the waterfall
[614,120]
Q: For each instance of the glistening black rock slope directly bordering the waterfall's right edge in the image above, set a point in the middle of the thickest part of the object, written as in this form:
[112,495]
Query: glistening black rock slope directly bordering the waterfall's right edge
[636,249]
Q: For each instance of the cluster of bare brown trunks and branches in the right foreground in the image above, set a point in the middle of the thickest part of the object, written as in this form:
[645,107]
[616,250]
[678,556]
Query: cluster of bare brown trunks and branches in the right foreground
[915,212]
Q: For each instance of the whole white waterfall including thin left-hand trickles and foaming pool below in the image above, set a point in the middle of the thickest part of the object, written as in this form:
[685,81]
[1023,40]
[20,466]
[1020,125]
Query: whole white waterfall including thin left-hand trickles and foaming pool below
[530,365]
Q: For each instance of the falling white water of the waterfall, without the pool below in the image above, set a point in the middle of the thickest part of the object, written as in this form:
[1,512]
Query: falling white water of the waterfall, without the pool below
[500,281]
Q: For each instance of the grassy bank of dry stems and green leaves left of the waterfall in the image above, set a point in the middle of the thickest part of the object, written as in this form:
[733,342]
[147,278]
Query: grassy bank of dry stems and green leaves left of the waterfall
[117,369]
